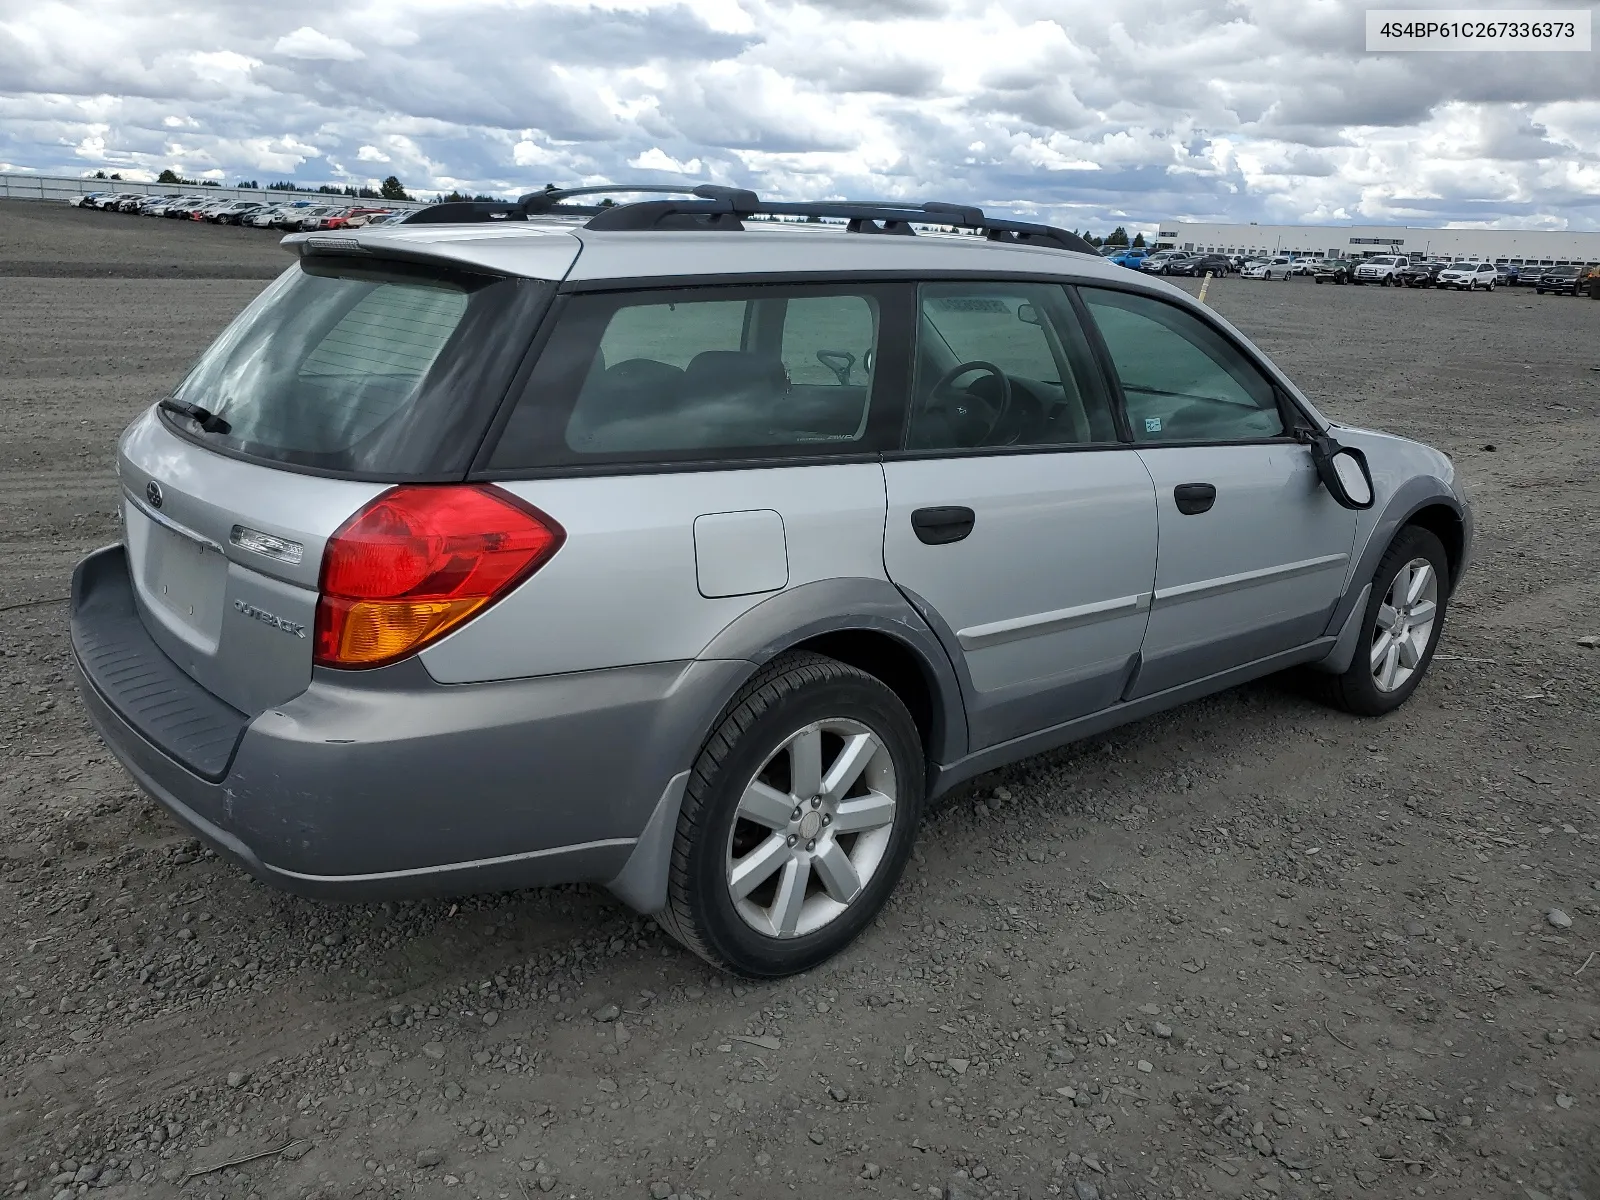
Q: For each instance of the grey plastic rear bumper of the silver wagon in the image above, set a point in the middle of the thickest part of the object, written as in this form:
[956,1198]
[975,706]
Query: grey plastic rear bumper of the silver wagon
[388,785]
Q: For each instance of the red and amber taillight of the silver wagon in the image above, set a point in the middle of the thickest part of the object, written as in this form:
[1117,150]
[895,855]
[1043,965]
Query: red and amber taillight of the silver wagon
[420,561]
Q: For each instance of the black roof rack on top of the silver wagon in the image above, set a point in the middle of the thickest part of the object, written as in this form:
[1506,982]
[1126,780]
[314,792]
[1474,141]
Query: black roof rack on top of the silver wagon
[716,207]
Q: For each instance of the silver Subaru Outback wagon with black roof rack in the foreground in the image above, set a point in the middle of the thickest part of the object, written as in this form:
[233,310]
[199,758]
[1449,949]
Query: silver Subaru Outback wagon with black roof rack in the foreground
[690,550]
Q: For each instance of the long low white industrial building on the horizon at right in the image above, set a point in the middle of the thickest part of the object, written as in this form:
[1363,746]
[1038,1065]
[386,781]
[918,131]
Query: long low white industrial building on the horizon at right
[1495,246]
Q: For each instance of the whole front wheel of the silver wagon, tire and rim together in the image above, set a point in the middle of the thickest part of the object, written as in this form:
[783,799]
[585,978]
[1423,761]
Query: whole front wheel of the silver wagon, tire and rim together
[1406,615]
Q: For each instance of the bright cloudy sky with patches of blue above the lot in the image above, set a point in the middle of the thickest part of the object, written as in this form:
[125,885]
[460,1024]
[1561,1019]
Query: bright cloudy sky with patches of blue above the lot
[1087,111]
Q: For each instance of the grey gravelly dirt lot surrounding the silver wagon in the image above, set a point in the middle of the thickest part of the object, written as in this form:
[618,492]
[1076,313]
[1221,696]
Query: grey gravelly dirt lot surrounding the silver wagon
[1249,948]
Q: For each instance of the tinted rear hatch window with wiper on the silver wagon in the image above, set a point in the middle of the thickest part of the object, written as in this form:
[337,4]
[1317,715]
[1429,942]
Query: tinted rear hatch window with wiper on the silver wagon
[375,370]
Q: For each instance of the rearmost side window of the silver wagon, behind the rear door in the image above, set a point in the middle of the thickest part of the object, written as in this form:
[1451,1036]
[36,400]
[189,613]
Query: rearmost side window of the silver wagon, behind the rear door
[705,374]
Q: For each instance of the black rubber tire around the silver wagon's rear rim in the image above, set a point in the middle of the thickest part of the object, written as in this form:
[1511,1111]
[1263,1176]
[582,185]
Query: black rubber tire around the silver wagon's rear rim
[782,698]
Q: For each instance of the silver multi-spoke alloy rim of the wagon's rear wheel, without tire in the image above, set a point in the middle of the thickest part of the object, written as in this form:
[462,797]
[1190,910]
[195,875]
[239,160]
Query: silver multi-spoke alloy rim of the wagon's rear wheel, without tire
[812,828]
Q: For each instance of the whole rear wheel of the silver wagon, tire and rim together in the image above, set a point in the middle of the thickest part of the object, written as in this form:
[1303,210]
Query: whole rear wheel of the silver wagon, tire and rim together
[798,822]
